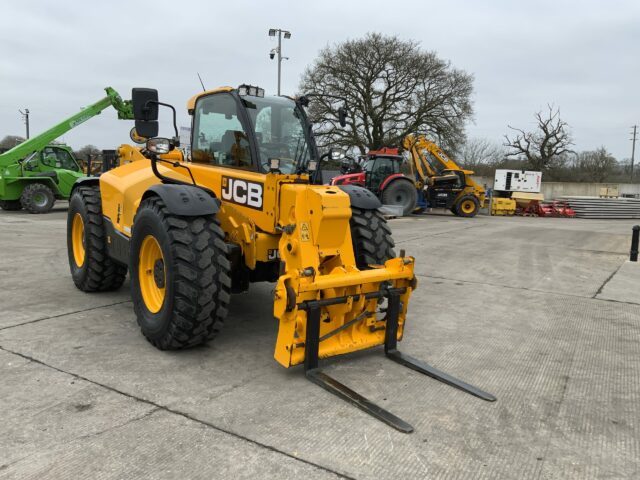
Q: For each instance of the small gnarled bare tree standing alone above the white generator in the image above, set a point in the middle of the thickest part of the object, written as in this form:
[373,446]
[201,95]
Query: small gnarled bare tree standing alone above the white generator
[548,144]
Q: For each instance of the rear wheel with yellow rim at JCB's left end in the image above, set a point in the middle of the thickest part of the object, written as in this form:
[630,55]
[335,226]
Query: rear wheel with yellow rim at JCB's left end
[91,267]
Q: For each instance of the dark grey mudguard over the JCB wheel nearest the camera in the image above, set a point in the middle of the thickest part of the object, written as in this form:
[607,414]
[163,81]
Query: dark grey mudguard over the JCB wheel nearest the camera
[185,200]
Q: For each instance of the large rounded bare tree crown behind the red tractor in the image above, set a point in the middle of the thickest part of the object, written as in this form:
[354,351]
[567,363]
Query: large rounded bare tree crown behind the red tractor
[392,88]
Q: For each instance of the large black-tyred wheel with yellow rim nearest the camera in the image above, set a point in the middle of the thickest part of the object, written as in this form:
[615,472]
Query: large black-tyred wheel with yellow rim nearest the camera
[180,276]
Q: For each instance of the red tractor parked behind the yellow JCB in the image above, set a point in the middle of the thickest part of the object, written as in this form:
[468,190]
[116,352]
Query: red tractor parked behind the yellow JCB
[380,171]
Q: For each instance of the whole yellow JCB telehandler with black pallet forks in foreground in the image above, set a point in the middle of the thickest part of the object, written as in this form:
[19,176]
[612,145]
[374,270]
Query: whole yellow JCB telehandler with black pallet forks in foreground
[244,210]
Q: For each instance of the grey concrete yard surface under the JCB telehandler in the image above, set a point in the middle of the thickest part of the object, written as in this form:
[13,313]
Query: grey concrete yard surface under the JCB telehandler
[544,313]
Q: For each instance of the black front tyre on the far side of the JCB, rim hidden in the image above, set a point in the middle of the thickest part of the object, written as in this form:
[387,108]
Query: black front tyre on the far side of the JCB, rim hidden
[371,237]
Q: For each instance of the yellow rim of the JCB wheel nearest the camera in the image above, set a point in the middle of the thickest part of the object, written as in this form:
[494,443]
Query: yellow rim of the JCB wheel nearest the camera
[151,274]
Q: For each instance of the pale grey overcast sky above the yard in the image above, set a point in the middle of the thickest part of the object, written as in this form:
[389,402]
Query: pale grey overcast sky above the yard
[582,56]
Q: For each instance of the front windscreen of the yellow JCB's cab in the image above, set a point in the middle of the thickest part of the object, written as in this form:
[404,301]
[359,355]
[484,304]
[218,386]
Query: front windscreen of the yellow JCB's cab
[280,132]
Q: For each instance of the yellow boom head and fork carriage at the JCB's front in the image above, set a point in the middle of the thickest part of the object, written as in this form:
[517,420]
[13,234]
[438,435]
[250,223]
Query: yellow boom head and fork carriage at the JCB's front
[316,248]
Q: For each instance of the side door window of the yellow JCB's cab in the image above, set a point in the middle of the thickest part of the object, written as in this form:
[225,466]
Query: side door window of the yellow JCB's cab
[218,135]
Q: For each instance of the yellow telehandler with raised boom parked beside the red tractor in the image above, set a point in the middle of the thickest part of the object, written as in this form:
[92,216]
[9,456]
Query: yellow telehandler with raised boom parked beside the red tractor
[442,183]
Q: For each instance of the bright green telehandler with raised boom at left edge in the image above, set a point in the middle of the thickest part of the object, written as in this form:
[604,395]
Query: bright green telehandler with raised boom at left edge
[36,172]
